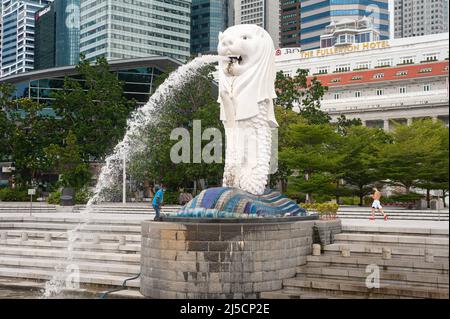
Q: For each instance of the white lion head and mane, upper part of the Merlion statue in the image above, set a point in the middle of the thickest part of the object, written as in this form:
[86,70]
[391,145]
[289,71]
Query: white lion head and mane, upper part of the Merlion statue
[246,71]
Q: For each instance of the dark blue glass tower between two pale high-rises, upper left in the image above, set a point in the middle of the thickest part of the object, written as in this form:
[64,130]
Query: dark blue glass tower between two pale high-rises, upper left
[57,34]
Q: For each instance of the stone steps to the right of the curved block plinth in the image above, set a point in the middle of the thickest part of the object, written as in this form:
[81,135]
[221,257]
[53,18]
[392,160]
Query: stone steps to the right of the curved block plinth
[407,273]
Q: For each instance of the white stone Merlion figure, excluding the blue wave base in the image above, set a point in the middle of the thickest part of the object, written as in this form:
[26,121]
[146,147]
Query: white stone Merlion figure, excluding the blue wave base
[246,92]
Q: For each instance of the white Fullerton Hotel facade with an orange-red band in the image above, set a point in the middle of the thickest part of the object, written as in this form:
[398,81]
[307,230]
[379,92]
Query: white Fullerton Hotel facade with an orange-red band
[381,82]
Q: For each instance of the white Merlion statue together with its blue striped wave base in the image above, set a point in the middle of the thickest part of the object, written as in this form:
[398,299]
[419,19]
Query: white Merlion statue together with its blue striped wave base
[246,92]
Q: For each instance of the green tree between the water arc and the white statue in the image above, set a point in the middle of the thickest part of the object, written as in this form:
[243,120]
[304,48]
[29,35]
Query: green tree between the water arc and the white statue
[195,100]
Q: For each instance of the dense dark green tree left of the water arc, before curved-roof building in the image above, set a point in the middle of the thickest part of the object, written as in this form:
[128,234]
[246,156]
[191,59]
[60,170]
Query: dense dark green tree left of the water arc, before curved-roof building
[94,108]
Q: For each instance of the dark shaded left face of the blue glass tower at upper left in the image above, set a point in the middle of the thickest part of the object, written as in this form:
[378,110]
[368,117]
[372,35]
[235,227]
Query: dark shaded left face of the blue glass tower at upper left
[44,41]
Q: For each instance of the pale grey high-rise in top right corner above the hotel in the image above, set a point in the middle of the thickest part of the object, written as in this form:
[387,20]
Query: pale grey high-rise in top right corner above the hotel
[419,17]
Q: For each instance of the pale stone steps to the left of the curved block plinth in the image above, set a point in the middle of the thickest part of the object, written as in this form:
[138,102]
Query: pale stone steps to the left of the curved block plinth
[107,249]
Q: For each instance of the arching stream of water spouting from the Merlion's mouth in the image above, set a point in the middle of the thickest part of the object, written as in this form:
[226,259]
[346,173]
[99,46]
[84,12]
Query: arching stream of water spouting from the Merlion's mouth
[131,144]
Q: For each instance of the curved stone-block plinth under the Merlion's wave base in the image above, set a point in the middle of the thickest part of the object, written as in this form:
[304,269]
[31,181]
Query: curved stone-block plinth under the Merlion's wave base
[192,258]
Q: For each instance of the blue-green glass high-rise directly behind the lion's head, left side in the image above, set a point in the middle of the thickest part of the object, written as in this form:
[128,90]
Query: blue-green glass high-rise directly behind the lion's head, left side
[208,18]
